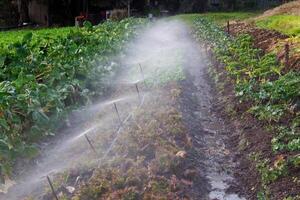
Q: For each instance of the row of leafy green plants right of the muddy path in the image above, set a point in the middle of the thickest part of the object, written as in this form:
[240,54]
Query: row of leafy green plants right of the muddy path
[274,96]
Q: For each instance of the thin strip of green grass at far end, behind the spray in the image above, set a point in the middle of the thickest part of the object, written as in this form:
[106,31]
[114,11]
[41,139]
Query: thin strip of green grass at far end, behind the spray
[219,18]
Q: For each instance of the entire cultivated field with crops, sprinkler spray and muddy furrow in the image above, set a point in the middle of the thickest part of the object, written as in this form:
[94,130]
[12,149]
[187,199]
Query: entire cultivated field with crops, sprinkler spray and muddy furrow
[152,110]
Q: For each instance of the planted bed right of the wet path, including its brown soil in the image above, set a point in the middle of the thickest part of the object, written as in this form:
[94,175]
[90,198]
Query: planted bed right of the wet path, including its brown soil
[269,95]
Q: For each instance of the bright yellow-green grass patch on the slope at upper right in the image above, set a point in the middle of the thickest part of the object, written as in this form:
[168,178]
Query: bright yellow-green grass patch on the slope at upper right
[287,24]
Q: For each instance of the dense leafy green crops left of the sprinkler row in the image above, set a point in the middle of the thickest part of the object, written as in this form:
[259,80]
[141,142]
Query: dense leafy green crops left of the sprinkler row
[44,75]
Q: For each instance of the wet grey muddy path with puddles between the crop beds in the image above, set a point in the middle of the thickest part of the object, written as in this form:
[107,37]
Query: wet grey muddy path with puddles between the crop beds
[208,131]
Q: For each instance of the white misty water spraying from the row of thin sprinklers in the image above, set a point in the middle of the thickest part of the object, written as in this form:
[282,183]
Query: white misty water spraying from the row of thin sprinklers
[162,48]
